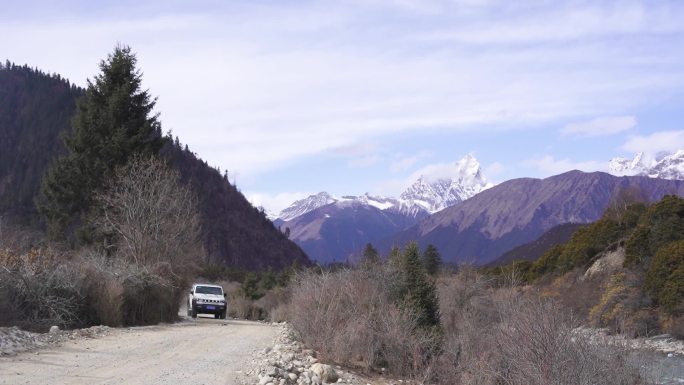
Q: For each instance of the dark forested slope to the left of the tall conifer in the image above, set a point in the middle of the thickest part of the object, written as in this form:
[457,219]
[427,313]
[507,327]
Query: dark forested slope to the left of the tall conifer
[35,109]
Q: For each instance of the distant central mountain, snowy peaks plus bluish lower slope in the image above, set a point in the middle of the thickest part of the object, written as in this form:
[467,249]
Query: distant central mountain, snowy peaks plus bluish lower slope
[331,228]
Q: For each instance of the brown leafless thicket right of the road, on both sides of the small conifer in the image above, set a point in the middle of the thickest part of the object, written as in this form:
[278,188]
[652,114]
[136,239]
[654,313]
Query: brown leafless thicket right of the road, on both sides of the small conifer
[490,335]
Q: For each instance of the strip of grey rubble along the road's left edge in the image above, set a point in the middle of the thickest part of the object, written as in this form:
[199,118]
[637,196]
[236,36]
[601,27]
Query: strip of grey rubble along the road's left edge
[14,340]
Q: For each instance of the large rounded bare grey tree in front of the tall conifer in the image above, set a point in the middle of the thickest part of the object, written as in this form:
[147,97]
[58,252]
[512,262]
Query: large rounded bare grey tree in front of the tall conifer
[152,217]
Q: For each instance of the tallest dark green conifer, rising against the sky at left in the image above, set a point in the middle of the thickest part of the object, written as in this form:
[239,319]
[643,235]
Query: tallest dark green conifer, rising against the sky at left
[113,121]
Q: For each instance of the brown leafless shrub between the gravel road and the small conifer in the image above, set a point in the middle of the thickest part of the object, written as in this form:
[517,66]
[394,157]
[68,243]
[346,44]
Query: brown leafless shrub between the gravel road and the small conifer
[349,316]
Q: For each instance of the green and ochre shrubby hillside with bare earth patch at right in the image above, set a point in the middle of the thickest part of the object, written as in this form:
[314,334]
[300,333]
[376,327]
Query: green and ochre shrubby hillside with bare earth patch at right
[624,271]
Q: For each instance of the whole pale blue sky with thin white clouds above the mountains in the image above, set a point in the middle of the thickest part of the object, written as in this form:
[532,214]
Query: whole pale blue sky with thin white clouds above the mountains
[295,97]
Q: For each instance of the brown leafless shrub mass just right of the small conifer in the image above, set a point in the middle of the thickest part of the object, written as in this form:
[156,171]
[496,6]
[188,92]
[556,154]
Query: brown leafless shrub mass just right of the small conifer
[511,336]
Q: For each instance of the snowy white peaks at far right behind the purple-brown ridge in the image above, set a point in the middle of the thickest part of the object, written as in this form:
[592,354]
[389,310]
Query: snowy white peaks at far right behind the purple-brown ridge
[665,166]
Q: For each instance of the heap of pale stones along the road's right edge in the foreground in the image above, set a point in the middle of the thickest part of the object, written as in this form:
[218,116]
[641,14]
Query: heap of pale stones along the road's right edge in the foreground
[287,362]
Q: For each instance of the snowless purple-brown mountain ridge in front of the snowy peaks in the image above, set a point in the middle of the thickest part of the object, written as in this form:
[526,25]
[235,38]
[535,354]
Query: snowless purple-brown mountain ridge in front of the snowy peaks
[520,210]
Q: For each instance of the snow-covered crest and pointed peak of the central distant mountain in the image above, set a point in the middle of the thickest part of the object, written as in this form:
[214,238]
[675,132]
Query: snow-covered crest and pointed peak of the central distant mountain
[425,196]
